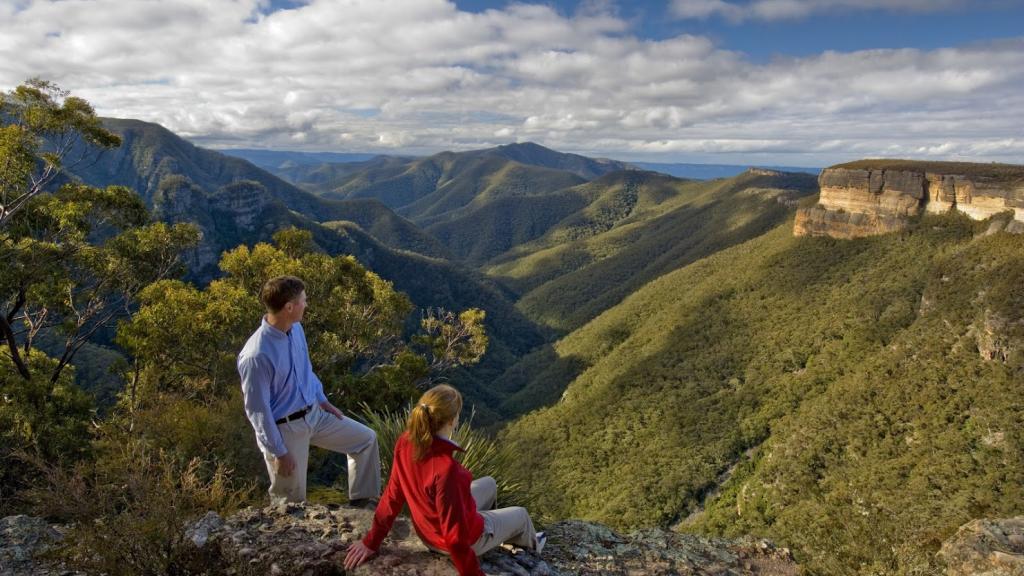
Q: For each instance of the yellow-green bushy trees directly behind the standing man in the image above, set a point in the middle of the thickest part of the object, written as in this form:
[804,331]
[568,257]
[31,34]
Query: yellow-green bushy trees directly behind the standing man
[186,342]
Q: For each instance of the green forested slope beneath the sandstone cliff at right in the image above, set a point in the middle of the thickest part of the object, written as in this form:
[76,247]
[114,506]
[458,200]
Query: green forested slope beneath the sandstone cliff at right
[881,381]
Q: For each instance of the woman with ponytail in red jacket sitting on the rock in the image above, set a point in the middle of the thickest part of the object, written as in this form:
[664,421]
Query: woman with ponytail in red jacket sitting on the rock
[451,511]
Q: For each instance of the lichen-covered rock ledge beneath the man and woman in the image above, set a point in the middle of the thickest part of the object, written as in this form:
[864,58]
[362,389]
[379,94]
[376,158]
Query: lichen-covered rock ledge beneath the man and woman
[312,541]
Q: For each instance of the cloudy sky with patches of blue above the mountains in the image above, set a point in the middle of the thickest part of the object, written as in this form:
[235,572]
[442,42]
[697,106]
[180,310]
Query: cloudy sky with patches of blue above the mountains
[779,83]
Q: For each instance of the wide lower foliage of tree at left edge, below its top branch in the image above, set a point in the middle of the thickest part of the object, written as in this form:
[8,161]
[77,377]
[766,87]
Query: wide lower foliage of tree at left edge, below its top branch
[75,261]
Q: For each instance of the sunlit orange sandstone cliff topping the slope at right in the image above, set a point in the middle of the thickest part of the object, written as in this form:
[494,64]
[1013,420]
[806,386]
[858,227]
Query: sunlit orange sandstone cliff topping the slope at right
[874,197]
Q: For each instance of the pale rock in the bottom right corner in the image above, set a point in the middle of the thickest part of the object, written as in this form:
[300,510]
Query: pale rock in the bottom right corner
[987,548]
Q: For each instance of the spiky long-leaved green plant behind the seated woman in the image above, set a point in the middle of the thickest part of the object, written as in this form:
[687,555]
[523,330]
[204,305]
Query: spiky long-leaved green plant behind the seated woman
[484,456]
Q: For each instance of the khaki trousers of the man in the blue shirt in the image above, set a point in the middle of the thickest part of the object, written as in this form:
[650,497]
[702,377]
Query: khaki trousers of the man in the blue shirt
[339,435]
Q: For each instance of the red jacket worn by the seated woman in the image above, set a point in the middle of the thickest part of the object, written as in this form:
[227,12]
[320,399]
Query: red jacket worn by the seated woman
[441,504]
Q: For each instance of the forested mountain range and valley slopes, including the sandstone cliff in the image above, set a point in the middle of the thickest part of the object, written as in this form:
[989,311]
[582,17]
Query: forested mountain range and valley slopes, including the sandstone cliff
[669,352]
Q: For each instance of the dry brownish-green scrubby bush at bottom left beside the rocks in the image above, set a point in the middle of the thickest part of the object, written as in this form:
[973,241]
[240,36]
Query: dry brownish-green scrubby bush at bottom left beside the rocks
[130,508]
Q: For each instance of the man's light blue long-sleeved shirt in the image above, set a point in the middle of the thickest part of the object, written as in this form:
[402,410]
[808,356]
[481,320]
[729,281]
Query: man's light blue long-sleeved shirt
[277,381]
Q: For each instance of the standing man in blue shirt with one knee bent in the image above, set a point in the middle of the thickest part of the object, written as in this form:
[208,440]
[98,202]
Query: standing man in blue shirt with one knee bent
[287,407]
